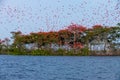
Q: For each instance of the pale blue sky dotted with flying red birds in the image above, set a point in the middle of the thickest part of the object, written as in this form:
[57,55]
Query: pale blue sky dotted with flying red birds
[46,15]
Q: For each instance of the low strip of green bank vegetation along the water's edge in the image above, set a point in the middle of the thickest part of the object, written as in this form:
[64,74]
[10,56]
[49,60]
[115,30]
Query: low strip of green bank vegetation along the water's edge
[60,52]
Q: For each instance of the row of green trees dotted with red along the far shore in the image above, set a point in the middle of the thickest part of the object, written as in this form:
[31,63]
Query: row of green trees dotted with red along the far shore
[74,40]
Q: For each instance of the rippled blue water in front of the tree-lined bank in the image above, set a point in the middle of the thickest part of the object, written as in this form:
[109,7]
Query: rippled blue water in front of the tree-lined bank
[59,68]
